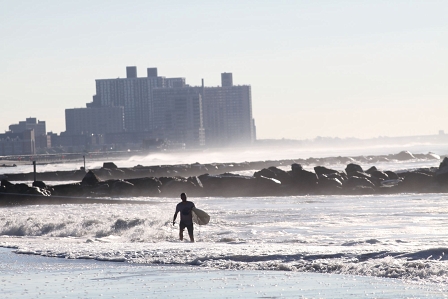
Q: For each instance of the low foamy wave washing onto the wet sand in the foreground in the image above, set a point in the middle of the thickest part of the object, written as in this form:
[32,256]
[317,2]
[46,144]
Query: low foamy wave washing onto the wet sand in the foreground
[429,265]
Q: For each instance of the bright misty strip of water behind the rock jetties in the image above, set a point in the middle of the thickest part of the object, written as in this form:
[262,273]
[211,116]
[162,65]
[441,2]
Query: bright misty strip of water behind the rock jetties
[238,155]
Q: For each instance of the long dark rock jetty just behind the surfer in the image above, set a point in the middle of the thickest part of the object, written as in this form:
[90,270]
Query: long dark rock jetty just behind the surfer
[209,180]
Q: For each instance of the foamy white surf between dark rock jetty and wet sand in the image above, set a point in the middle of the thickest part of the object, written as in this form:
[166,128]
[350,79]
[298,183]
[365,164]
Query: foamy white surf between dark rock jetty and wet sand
[400,236]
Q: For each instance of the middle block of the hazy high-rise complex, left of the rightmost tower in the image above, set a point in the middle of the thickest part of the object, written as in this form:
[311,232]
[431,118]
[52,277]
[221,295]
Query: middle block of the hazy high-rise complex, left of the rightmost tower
[178,115]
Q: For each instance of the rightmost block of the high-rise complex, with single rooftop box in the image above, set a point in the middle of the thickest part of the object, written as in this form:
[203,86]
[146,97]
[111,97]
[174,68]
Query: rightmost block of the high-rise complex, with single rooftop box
[228,113]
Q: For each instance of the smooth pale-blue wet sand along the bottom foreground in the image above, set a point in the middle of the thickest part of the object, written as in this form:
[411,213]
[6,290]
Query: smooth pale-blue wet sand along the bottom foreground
[27,276]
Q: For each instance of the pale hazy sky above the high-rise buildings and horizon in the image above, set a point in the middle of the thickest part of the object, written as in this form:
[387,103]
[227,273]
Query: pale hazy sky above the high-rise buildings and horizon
[317,68]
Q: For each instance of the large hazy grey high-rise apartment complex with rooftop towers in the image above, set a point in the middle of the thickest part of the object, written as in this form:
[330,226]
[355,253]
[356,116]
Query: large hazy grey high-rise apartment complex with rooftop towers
[169,109]
